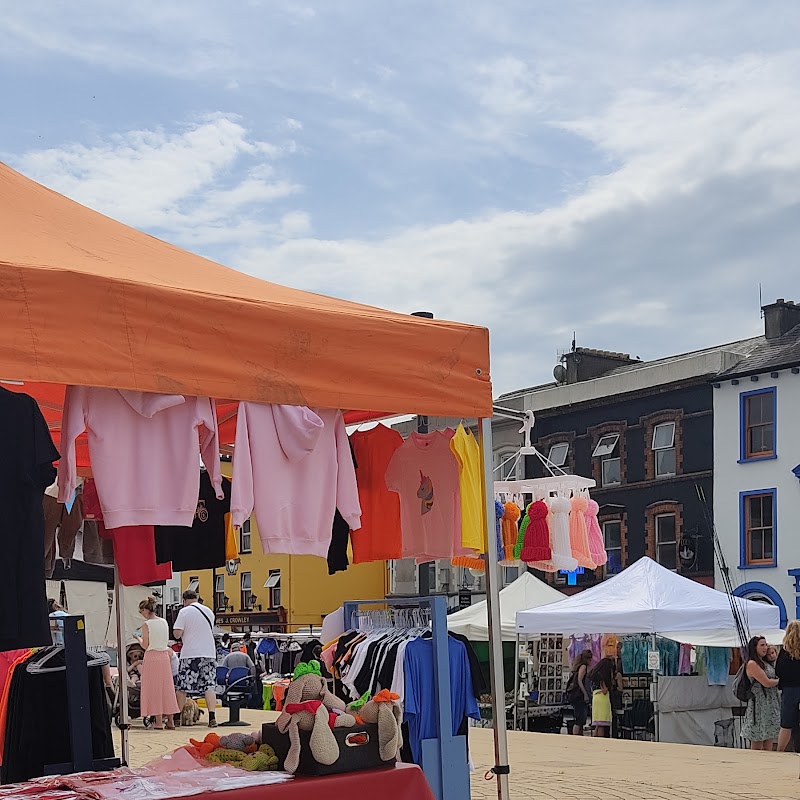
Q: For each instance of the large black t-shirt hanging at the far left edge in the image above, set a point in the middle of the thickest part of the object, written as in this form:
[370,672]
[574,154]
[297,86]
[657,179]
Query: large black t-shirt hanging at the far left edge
[25,472]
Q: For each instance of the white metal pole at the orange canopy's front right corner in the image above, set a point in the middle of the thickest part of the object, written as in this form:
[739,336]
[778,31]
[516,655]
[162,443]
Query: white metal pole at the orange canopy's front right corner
[501,768]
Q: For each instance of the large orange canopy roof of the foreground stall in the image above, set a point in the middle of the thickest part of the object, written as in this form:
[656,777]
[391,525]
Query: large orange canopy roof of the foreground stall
[87,300]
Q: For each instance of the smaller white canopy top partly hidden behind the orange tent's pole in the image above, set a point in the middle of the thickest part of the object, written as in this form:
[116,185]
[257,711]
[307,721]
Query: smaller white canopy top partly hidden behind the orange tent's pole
[527,591]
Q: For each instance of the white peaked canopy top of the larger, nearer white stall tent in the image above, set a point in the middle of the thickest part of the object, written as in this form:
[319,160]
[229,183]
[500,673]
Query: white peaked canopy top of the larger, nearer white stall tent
[647,598]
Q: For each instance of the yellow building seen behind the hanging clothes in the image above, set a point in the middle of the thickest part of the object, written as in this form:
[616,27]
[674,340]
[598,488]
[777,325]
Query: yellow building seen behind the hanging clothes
[264,590]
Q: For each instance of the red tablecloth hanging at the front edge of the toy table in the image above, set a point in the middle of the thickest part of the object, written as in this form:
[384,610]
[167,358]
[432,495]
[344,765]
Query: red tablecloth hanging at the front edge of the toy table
[403,782]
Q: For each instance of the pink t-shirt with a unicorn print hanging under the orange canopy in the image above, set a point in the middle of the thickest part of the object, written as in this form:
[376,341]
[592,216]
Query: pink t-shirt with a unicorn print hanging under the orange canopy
[424,472]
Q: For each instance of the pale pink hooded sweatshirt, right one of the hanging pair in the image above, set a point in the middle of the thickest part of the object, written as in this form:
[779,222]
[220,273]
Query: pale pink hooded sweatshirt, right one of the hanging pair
[294,466]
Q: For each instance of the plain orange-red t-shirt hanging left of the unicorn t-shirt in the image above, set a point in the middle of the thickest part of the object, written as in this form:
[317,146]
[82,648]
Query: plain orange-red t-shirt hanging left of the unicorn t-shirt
[379,537]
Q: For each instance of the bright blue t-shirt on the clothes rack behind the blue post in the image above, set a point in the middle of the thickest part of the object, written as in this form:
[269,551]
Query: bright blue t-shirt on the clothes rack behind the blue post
[420,702]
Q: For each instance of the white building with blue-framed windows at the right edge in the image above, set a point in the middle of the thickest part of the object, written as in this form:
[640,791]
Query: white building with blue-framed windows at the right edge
[757,465]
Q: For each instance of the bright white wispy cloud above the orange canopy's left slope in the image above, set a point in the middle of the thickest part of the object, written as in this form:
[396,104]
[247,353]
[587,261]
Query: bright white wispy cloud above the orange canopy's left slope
[201,185]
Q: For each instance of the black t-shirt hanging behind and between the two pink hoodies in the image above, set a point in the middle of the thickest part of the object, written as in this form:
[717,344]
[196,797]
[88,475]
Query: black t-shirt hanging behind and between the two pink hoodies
[203,545]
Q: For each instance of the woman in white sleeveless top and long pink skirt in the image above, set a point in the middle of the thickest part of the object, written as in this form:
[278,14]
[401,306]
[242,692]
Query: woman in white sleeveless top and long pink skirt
[158,690]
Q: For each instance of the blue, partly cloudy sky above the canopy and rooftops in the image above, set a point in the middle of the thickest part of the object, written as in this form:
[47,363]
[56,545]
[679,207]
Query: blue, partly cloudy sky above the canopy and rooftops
[628,170]
